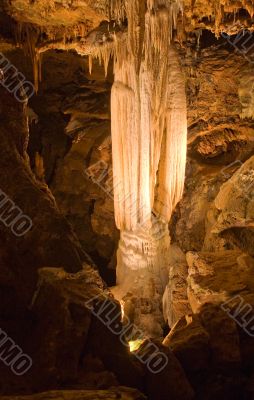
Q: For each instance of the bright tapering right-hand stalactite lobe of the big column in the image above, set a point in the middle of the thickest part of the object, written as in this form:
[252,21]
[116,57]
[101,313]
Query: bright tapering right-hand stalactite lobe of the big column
[173,150]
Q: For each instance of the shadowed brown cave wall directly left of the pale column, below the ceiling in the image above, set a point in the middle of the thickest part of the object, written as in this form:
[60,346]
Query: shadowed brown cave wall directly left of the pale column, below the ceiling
[72,137]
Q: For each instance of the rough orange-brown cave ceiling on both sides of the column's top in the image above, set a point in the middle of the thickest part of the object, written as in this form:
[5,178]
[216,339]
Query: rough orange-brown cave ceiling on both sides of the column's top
[82,25]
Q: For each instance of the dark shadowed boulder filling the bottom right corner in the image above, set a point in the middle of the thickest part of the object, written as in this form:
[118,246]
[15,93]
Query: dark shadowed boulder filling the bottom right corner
[208,347]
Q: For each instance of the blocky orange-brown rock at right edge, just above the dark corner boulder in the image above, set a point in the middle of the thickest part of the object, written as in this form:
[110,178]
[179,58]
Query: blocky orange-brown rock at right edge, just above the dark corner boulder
[216,277]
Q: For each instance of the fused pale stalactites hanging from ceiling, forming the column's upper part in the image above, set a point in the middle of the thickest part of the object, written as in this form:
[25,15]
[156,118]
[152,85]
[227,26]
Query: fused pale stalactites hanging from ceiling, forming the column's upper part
[148,108]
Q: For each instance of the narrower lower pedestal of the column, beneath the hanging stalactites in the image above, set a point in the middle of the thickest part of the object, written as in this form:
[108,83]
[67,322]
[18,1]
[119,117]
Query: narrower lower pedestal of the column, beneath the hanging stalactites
[142,261]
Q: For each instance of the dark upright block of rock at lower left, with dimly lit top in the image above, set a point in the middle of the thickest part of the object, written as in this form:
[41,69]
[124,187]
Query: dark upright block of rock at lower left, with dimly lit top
[63,328]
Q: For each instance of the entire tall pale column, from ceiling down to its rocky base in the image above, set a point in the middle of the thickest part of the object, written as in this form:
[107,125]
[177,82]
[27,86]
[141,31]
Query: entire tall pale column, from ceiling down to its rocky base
[149,125]
